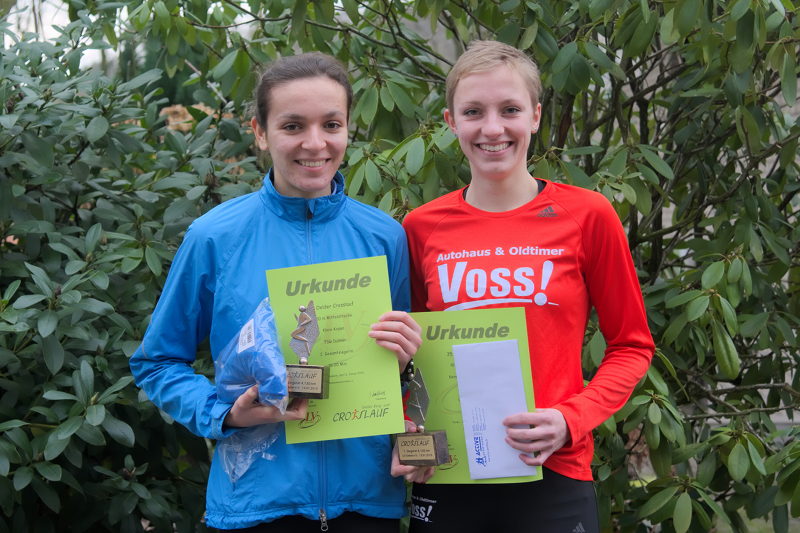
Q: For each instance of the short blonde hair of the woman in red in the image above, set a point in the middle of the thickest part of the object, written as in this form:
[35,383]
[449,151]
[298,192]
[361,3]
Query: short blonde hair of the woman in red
[482,56]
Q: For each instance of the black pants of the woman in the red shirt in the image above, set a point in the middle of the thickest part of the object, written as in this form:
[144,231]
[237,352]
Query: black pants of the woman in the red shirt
[555,504]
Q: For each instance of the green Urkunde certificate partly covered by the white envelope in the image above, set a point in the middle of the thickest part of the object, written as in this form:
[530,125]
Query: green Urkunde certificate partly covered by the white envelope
[442,330]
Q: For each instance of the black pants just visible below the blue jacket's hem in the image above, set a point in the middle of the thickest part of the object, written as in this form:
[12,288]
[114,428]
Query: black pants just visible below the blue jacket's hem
[345,523]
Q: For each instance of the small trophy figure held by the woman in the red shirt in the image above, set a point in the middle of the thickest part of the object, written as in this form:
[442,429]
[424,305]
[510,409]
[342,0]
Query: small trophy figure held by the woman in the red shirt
[423,448]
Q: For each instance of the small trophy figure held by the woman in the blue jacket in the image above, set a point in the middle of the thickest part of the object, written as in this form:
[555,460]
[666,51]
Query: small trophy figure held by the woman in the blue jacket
[304,380]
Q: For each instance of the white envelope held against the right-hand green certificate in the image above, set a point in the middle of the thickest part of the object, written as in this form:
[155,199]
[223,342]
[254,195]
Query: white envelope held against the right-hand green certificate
[490,388]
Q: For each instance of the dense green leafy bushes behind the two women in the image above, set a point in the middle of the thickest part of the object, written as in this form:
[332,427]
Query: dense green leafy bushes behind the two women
[682,112]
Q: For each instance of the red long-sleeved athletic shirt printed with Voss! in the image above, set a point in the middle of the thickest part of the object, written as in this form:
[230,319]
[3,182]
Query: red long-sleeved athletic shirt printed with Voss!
[557,256]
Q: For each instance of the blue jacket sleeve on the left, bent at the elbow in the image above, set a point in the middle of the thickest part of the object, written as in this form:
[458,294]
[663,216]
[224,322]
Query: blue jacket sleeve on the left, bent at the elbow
[162,365]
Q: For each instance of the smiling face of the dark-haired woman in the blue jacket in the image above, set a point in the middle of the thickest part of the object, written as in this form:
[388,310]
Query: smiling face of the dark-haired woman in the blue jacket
[306,135]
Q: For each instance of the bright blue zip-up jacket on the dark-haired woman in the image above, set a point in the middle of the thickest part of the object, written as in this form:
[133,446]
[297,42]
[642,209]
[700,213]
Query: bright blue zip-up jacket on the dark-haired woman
[216,280]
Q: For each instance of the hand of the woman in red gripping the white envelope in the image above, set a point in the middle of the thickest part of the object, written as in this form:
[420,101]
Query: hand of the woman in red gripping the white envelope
[546,431]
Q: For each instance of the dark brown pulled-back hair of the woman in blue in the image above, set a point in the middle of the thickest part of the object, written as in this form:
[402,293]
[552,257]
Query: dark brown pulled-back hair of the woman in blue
[290,68]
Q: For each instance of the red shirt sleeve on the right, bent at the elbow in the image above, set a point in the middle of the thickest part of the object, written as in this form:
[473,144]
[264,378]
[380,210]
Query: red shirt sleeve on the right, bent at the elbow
[614,292]
